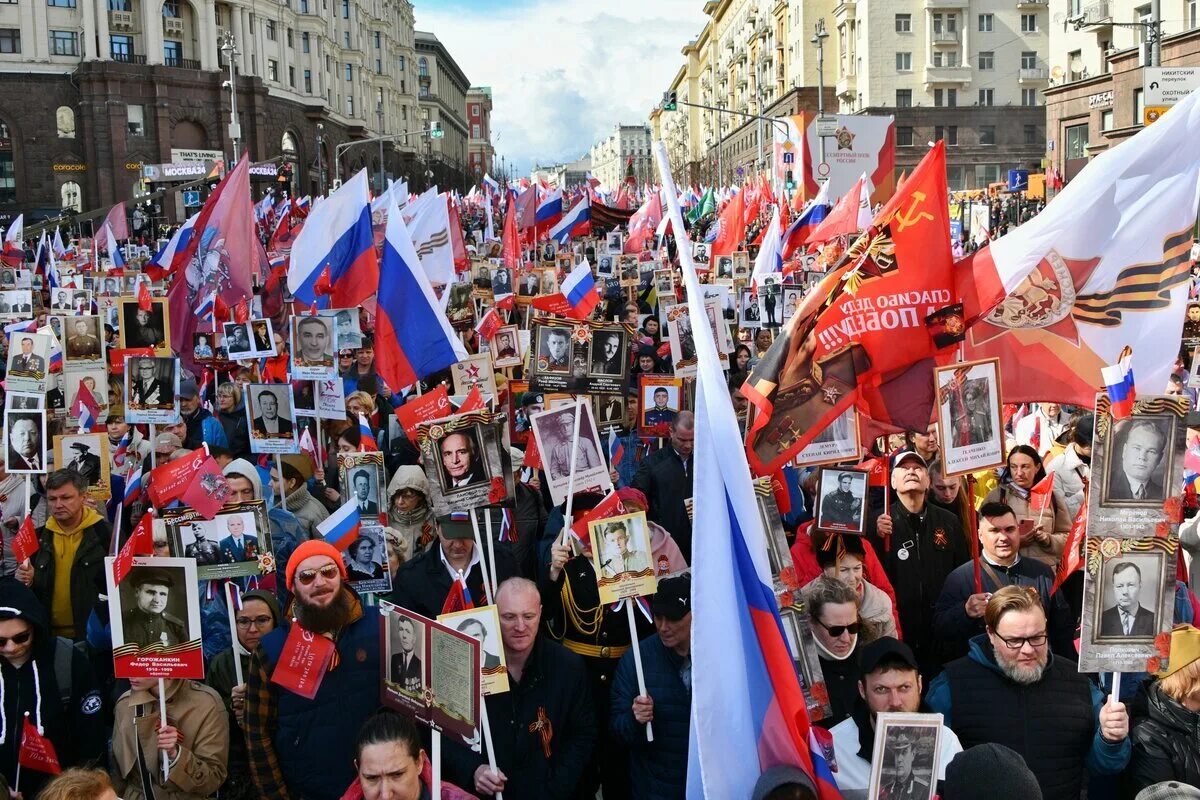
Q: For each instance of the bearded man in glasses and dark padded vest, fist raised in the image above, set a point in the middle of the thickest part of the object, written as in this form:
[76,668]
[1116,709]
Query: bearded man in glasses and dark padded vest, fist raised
[1012,691]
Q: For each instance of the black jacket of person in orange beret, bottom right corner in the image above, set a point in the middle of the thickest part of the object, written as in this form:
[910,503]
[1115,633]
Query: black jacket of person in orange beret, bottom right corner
[1166,744]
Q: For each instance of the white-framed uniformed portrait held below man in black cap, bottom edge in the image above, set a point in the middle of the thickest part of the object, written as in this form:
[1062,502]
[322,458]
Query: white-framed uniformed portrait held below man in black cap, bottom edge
[905,757]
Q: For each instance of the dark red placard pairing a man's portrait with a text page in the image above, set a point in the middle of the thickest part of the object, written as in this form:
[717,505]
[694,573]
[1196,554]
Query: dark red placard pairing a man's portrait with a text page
[431,672]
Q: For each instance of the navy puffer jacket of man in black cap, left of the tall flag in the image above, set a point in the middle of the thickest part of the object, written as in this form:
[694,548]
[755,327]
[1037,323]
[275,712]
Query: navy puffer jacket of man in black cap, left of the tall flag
[658,769]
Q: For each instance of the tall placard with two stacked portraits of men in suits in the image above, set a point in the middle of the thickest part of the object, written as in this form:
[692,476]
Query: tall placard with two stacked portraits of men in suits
[1135,508]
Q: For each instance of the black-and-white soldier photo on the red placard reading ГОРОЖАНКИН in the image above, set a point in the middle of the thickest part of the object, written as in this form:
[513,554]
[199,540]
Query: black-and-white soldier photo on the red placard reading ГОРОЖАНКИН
[148,616]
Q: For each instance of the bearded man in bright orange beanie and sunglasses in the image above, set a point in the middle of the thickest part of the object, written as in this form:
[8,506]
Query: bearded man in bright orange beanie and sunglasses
[302,748]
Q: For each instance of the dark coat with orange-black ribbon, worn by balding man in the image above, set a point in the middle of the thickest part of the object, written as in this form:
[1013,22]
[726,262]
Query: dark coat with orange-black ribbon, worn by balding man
[553,689]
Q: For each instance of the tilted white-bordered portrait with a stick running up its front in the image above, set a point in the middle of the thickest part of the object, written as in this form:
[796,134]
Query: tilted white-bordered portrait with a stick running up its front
[554,430]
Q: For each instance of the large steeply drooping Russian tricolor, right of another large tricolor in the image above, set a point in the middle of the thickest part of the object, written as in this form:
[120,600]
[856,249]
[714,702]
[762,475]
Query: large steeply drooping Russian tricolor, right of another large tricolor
[413,336]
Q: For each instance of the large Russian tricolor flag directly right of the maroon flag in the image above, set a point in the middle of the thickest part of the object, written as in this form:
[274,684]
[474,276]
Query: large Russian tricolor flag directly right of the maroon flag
[338,236]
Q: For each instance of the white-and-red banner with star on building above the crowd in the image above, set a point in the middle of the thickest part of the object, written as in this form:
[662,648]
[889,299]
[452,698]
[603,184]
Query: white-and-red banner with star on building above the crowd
[860,145]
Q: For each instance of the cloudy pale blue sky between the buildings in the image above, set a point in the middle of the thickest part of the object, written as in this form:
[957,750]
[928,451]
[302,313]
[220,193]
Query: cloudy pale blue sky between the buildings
[563,73]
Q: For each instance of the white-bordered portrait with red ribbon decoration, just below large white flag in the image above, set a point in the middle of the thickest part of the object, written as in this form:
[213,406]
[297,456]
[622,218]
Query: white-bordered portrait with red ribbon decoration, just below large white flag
[969,416]
